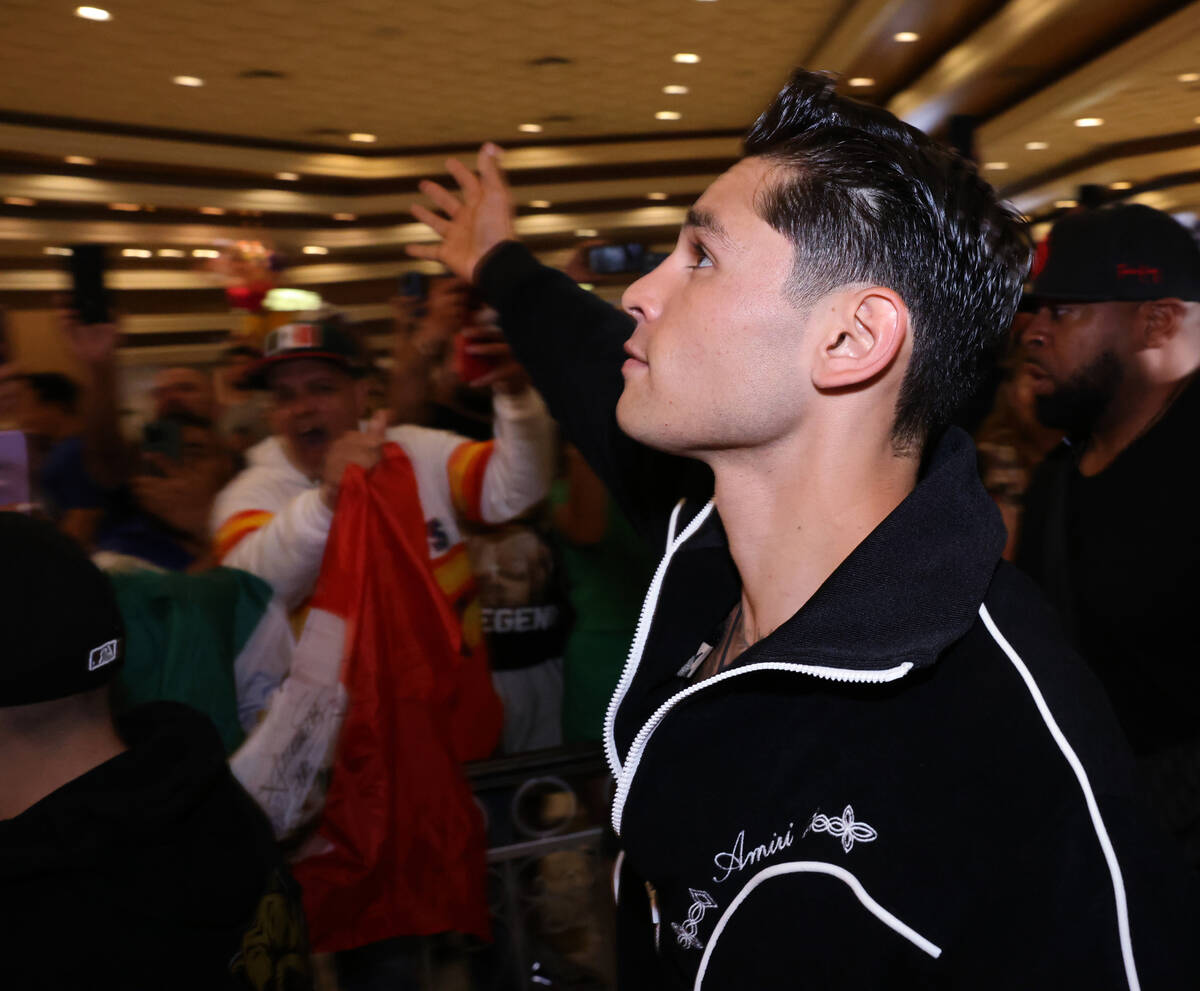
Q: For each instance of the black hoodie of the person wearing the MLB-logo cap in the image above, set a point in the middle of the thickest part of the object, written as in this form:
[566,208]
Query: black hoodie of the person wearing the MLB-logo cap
[153,870]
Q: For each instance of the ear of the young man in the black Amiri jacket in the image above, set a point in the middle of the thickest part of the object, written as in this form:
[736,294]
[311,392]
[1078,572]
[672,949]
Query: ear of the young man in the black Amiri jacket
[865,334]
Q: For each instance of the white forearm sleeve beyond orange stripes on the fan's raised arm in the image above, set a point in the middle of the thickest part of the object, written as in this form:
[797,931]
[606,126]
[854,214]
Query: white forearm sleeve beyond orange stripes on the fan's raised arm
[521,467]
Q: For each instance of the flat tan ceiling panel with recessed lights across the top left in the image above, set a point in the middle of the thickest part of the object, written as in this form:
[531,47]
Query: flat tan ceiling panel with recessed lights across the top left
[442,73]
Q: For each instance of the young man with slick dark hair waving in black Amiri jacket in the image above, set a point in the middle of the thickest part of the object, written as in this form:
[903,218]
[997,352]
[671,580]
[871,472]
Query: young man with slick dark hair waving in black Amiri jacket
[851,747]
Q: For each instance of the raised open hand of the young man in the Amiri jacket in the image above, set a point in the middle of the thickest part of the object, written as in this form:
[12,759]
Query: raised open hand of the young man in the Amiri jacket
[472,225]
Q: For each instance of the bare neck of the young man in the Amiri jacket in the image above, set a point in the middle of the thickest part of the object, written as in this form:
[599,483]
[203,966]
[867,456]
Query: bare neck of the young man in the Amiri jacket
[794,515]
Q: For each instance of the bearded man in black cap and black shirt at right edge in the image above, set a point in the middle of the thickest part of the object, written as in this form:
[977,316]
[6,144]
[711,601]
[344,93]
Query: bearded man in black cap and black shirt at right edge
[1111,528]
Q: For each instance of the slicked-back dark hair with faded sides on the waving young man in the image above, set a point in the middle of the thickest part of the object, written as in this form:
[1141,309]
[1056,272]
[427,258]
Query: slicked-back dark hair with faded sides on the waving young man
[866,199]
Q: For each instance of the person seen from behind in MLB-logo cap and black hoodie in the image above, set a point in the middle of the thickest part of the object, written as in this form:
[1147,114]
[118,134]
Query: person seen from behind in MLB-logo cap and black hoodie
[130,834]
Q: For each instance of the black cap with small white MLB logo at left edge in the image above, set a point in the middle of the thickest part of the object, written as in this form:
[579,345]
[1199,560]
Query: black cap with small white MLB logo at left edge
[63,628]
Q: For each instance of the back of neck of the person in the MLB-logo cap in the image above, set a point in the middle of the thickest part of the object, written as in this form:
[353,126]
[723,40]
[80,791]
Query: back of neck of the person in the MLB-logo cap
[34,767]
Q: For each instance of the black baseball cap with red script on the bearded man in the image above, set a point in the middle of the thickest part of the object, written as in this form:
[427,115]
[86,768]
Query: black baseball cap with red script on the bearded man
[1125,253]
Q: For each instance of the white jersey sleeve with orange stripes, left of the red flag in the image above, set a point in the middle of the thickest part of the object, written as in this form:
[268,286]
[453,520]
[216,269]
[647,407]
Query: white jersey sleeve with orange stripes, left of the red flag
[283,546]
